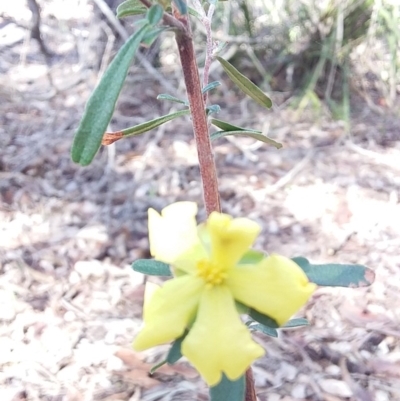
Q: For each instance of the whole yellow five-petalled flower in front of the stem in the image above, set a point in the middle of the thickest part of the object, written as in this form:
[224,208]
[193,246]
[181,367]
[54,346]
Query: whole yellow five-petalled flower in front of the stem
[209,281]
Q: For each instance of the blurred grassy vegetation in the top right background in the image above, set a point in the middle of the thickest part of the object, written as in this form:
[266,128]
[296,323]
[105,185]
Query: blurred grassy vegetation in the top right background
[318,50]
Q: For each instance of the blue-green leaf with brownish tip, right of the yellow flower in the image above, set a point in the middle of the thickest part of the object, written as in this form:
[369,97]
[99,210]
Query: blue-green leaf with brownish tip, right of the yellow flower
[336,275]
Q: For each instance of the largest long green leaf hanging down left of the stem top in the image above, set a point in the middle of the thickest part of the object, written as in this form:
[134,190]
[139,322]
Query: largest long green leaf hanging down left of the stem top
[100,107]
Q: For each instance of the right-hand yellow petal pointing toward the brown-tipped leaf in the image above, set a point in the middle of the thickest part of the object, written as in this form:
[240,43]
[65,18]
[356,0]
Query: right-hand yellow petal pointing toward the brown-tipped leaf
[276,287]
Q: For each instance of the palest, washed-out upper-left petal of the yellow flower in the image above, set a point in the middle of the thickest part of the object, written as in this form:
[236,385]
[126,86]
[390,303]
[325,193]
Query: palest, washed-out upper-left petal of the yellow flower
[172,232]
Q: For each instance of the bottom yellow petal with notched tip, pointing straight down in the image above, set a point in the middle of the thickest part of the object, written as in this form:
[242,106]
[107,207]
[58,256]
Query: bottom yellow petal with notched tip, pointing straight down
[218,341]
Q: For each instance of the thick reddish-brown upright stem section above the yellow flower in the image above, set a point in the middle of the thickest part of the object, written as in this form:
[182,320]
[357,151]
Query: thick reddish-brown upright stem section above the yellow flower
[200,126]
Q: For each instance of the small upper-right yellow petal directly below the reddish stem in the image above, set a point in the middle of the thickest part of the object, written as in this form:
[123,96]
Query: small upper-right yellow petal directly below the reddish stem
[230,238]
